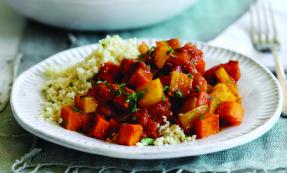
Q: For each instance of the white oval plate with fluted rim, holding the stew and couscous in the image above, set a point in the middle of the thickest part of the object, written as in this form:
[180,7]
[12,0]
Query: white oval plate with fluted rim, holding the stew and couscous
[261,98]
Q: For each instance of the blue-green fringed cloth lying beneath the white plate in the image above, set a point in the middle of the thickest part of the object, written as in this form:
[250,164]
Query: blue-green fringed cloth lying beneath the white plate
[203,21]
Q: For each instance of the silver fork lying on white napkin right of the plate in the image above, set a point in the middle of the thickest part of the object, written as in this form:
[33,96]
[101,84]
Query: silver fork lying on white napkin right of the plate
[265,39]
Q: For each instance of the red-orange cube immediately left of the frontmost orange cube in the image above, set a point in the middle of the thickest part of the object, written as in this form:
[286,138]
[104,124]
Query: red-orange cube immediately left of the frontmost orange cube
[100,128]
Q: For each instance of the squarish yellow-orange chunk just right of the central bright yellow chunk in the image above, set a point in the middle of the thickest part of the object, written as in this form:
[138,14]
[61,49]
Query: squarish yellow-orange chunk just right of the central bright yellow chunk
[180,82]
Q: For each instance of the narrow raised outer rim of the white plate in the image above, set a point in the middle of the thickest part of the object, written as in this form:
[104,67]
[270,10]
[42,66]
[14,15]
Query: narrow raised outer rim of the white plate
[222,145]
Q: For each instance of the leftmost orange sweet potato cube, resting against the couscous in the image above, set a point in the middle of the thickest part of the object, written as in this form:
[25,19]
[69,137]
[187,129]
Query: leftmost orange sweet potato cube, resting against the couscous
[72,120]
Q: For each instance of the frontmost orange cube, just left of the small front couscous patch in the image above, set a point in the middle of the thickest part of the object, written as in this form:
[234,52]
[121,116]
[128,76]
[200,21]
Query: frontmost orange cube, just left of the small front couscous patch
[130,134]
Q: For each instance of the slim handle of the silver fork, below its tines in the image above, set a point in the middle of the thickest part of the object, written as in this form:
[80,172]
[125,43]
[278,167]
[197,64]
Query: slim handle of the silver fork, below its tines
[282,80]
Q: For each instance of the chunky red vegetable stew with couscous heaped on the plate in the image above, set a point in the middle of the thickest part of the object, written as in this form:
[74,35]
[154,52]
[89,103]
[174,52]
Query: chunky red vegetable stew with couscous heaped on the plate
[130,93]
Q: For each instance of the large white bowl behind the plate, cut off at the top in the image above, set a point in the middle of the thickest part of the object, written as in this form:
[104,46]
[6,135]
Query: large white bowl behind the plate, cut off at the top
[99,14]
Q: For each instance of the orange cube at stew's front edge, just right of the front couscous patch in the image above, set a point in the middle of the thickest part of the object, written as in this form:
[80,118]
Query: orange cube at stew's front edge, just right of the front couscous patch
[206,125]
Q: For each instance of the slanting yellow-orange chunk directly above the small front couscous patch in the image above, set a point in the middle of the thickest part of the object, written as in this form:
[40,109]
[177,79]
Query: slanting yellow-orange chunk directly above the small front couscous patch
[188,119]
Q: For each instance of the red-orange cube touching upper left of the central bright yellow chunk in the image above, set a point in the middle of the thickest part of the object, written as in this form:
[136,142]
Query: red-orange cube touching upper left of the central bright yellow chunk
[140,78]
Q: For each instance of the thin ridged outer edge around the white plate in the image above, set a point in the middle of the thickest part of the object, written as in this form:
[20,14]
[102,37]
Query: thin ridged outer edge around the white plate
[260,130]
